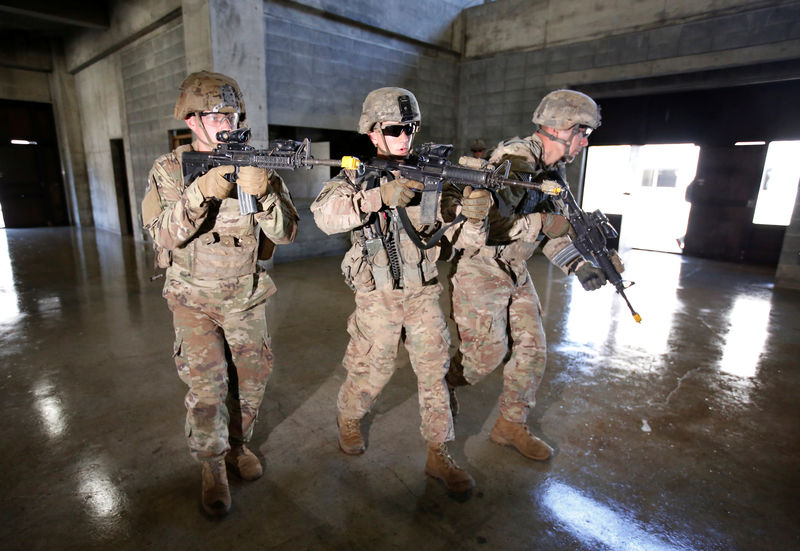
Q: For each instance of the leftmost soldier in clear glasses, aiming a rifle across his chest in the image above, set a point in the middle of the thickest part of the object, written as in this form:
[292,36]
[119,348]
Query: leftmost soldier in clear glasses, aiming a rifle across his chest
[214,286]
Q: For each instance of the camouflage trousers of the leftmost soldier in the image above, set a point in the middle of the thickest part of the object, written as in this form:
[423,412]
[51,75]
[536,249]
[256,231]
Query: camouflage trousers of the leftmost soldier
[223,400]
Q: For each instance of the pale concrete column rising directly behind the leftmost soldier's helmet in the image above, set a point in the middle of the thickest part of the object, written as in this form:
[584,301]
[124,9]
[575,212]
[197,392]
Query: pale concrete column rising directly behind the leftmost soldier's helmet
[227,36]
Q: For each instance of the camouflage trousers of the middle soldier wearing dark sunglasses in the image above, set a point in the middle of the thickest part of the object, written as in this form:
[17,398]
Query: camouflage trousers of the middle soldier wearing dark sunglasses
[374,329]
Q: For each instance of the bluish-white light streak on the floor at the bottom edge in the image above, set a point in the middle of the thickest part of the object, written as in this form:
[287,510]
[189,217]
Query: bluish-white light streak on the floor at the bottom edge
[597,524]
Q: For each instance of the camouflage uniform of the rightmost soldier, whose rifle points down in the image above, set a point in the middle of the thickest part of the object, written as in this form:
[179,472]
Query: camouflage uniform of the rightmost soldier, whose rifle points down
[493,297]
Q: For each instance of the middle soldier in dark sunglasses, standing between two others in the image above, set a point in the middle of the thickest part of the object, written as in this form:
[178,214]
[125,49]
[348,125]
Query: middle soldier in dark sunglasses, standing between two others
[395,283]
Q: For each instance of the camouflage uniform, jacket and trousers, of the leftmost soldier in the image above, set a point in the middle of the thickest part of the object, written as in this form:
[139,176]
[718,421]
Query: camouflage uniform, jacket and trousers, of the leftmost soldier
[217,294]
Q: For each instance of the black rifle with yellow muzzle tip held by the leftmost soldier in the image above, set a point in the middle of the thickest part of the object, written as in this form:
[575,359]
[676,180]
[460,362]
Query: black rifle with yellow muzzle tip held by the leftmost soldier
[233,150]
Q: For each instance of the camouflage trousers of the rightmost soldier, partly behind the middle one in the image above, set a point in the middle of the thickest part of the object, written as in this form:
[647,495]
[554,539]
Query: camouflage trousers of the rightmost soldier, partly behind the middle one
[489,306]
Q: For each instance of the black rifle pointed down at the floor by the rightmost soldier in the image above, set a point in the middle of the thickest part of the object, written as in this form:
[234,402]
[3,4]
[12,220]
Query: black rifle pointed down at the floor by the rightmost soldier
[591,232]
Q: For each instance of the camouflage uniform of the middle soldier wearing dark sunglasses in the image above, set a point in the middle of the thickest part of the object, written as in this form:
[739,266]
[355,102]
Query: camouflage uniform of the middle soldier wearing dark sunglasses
[348,203]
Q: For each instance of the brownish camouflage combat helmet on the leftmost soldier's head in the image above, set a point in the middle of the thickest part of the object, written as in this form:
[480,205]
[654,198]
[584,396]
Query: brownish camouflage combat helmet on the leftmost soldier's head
[205,91]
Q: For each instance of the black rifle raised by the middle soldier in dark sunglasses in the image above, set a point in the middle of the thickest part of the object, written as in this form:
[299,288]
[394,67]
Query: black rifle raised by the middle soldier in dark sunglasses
[430,166]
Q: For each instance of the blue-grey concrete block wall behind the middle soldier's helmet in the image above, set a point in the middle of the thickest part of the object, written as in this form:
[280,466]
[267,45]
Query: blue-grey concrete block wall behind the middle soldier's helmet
[320,69]
